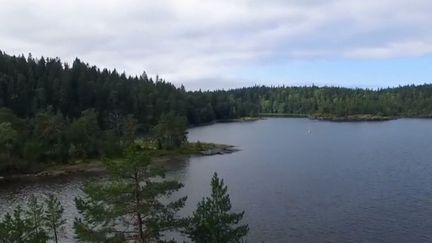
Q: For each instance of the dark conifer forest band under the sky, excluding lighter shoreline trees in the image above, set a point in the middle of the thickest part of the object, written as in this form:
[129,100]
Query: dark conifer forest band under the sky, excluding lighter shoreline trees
[29,86]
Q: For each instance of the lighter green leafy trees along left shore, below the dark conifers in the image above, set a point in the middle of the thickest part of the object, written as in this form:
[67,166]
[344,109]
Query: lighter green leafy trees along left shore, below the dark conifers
[51,138]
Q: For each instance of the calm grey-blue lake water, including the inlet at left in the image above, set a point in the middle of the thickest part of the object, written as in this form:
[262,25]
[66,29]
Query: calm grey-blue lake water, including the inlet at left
[301,180]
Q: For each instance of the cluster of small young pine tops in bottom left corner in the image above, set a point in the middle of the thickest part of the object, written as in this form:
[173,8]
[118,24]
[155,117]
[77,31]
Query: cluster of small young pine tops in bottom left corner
[34,223]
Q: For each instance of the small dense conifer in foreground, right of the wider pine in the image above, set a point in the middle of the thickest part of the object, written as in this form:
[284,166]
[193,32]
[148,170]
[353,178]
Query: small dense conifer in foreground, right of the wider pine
[213,222]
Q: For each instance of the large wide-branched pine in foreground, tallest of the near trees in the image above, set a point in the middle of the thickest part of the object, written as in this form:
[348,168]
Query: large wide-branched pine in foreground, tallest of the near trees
[130,205]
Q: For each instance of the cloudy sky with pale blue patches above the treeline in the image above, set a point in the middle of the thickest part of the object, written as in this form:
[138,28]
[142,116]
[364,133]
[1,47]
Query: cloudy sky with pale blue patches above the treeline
[223,44]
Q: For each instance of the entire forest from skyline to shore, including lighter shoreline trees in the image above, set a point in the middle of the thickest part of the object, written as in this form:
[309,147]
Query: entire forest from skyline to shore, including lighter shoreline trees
[53,112]
